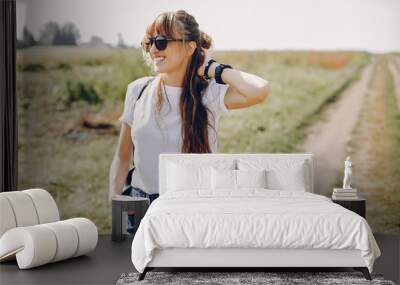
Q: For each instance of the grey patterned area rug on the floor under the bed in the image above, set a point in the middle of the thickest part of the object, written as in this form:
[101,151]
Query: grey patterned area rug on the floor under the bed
[231,278]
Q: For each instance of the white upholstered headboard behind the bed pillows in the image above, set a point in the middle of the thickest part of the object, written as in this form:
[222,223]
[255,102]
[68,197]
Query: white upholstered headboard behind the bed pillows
[228,159]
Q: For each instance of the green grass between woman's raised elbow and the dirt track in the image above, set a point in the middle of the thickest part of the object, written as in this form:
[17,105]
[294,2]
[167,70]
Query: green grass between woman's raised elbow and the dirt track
[298,95]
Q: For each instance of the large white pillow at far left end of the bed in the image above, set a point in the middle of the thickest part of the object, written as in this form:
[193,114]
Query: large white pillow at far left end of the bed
[182,177]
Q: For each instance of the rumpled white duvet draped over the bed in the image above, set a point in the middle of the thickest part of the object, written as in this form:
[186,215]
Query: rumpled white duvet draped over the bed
[251,218]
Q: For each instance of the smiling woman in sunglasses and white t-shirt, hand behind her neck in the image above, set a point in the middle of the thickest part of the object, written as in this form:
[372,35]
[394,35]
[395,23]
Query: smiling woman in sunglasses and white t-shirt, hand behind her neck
[198,91]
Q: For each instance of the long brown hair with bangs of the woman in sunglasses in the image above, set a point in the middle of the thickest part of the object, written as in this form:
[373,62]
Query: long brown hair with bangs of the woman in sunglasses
[194,113]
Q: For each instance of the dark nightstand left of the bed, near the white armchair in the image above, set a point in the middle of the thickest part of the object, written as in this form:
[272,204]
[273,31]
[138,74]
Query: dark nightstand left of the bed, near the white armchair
[121,204]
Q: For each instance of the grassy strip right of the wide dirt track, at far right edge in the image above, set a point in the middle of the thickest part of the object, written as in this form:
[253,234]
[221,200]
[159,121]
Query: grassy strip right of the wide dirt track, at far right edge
[376,152]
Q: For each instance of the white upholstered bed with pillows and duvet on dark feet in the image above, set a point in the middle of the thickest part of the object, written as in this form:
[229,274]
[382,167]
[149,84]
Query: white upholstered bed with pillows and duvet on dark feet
[247,210]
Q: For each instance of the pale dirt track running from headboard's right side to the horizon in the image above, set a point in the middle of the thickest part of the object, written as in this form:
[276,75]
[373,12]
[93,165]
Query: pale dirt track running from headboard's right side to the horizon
[328,138]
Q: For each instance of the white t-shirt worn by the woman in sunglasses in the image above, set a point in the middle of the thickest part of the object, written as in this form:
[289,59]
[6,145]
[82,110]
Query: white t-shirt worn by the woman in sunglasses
[151,137]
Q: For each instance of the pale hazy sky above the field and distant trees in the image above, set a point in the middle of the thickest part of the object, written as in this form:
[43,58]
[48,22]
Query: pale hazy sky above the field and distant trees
[372,25]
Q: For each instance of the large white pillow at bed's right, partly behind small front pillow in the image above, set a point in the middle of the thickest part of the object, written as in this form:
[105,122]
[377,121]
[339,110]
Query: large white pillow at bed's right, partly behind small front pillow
[281,174]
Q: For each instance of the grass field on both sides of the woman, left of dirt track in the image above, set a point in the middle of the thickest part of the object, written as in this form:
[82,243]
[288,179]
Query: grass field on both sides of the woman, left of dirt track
[64,93]
